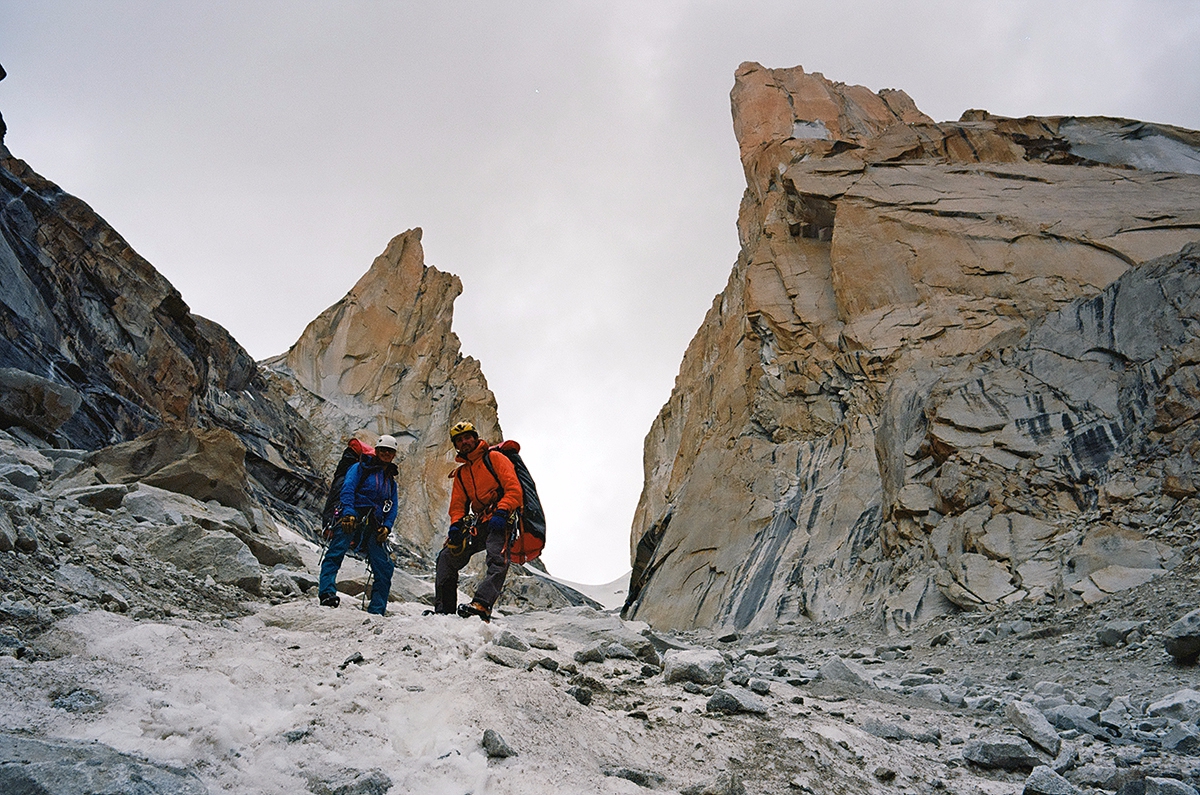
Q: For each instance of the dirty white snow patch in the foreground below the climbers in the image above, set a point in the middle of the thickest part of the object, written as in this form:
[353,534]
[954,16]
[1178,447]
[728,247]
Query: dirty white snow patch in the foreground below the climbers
[269,704]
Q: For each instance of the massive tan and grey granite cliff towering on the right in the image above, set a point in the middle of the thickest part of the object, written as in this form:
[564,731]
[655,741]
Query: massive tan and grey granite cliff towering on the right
[938,376]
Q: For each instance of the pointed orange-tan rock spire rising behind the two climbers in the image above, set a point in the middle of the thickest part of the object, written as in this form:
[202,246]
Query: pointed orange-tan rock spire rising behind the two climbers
[385,361]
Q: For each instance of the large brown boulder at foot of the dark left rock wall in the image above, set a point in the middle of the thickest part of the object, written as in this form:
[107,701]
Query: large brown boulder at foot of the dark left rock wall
[201,464]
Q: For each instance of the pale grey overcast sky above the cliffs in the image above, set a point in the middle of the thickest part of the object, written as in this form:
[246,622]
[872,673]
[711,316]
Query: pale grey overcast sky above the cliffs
[573,163]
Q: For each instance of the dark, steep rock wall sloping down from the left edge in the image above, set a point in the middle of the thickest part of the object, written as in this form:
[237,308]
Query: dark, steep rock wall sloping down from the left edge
[81,309]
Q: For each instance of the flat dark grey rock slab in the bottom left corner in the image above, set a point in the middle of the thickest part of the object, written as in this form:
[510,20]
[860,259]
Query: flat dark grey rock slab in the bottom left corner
[73,768]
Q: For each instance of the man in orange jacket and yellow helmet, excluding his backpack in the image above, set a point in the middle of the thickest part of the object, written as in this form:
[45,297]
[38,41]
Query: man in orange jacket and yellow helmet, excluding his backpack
[485,501]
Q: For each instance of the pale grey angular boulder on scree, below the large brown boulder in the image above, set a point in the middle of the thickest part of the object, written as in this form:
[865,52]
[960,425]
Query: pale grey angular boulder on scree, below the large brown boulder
[206,553]
